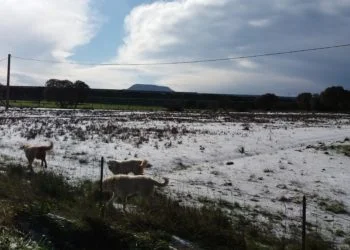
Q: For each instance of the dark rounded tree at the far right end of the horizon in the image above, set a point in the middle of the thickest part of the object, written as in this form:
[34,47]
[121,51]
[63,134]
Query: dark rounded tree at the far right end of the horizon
[335,98]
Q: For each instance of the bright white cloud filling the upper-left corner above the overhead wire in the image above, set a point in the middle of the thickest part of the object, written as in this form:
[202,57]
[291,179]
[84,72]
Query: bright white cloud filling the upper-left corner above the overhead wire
[46,27]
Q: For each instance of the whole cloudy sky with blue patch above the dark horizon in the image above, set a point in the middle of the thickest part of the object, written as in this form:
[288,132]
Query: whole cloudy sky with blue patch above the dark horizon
[83,32]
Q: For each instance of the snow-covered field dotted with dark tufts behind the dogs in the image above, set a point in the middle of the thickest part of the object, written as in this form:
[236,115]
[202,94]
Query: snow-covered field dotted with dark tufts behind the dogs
[264,161]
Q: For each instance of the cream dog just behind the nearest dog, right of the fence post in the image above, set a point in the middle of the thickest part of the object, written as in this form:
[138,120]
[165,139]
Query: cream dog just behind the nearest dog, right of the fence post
[124,167]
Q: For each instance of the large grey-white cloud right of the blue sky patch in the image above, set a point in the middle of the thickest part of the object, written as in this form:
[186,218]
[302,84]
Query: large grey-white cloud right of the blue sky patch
[196,29]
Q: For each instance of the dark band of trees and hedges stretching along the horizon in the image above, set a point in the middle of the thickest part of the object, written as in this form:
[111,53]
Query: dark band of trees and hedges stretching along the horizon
[69,94]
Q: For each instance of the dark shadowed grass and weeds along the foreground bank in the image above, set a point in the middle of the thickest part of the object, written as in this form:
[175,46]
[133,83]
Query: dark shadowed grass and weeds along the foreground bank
[43,211]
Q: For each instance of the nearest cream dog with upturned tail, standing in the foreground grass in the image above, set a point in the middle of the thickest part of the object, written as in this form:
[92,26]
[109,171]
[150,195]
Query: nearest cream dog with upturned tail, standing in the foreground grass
[124,186]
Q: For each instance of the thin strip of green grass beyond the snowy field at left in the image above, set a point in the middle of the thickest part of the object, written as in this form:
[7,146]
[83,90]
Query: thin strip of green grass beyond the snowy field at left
[49,104]
